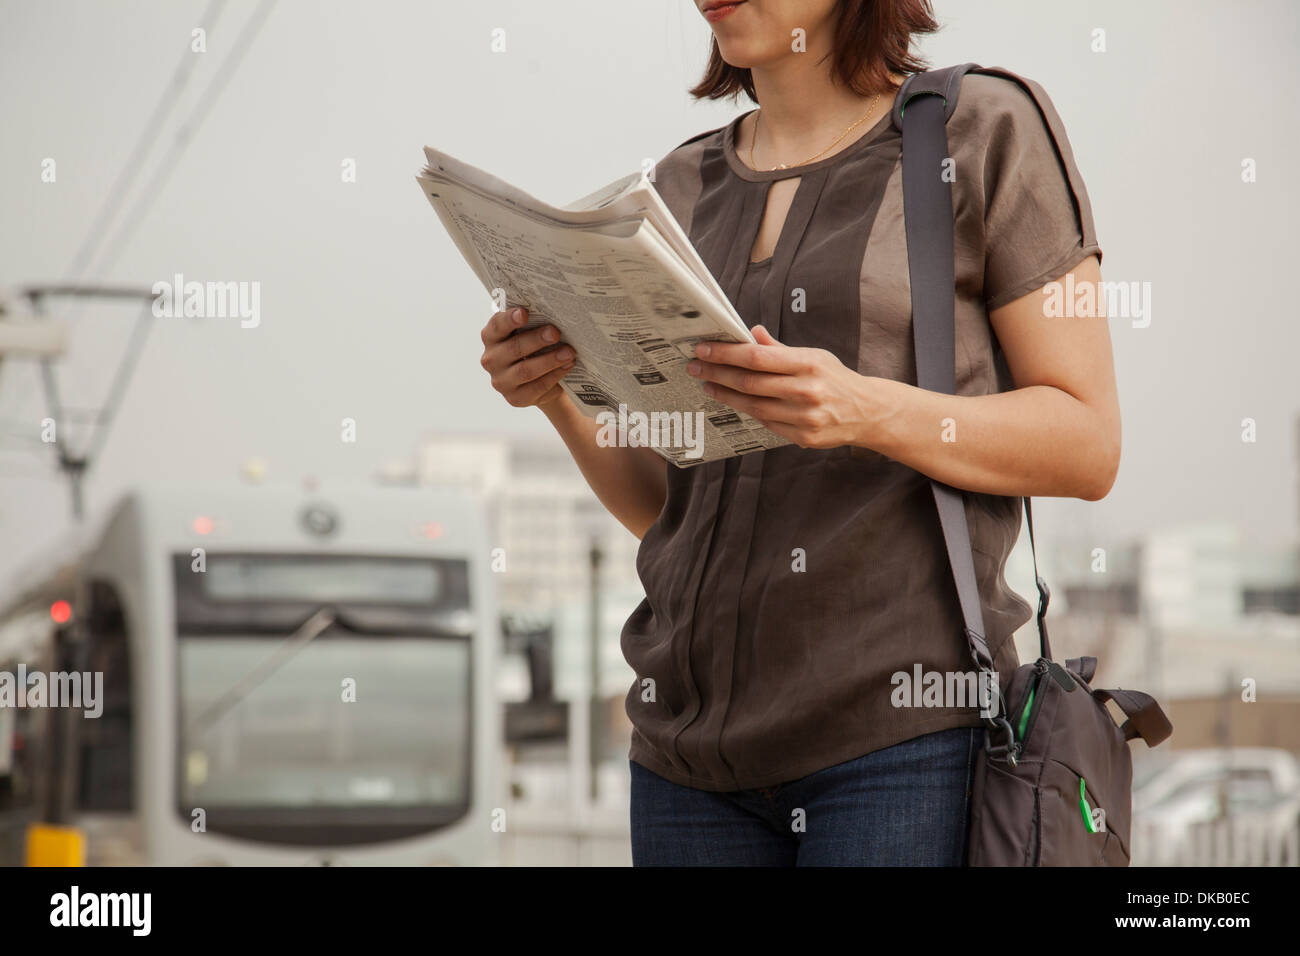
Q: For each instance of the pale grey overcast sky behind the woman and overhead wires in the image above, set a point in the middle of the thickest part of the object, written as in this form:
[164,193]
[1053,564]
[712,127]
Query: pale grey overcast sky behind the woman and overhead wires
[369,313]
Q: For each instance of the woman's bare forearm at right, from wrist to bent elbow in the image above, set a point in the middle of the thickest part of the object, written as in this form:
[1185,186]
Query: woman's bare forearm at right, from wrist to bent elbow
[1030,442]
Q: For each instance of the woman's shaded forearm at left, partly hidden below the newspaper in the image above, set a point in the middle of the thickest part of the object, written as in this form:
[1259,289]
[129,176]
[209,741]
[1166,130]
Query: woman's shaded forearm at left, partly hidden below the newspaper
[632,483]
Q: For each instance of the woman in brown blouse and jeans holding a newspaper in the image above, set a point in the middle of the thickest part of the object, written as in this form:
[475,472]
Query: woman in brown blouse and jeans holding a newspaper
[791,592]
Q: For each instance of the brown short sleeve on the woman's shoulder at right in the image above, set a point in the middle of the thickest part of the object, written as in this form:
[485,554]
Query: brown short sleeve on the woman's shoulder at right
[1038,219]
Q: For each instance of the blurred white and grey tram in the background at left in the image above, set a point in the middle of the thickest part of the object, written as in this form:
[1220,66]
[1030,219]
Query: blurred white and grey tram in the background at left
[268,678]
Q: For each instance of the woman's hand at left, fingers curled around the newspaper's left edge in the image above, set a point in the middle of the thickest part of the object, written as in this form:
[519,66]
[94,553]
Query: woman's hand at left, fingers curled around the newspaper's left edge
[519,367]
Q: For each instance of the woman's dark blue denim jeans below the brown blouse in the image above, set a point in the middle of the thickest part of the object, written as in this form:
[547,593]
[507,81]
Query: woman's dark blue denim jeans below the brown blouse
[905,806]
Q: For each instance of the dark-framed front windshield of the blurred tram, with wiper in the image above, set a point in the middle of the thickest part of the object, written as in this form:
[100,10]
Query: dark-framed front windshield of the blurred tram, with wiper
[324,700]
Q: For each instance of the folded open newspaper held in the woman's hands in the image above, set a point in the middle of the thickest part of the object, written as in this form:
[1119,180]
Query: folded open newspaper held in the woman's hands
[621,280]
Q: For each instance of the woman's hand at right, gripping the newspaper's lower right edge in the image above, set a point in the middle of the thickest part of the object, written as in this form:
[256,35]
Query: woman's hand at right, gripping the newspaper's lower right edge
[804,395]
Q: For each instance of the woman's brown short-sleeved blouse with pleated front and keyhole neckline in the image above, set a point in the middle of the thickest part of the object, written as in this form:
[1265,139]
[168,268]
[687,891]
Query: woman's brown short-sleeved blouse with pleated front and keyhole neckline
[785,589]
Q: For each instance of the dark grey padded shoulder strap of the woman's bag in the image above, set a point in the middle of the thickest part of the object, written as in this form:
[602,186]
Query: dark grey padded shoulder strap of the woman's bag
[921,113]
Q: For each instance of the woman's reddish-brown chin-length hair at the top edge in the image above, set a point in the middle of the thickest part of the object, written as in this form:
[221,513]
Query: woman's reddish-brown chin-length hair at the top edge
[873,40]
